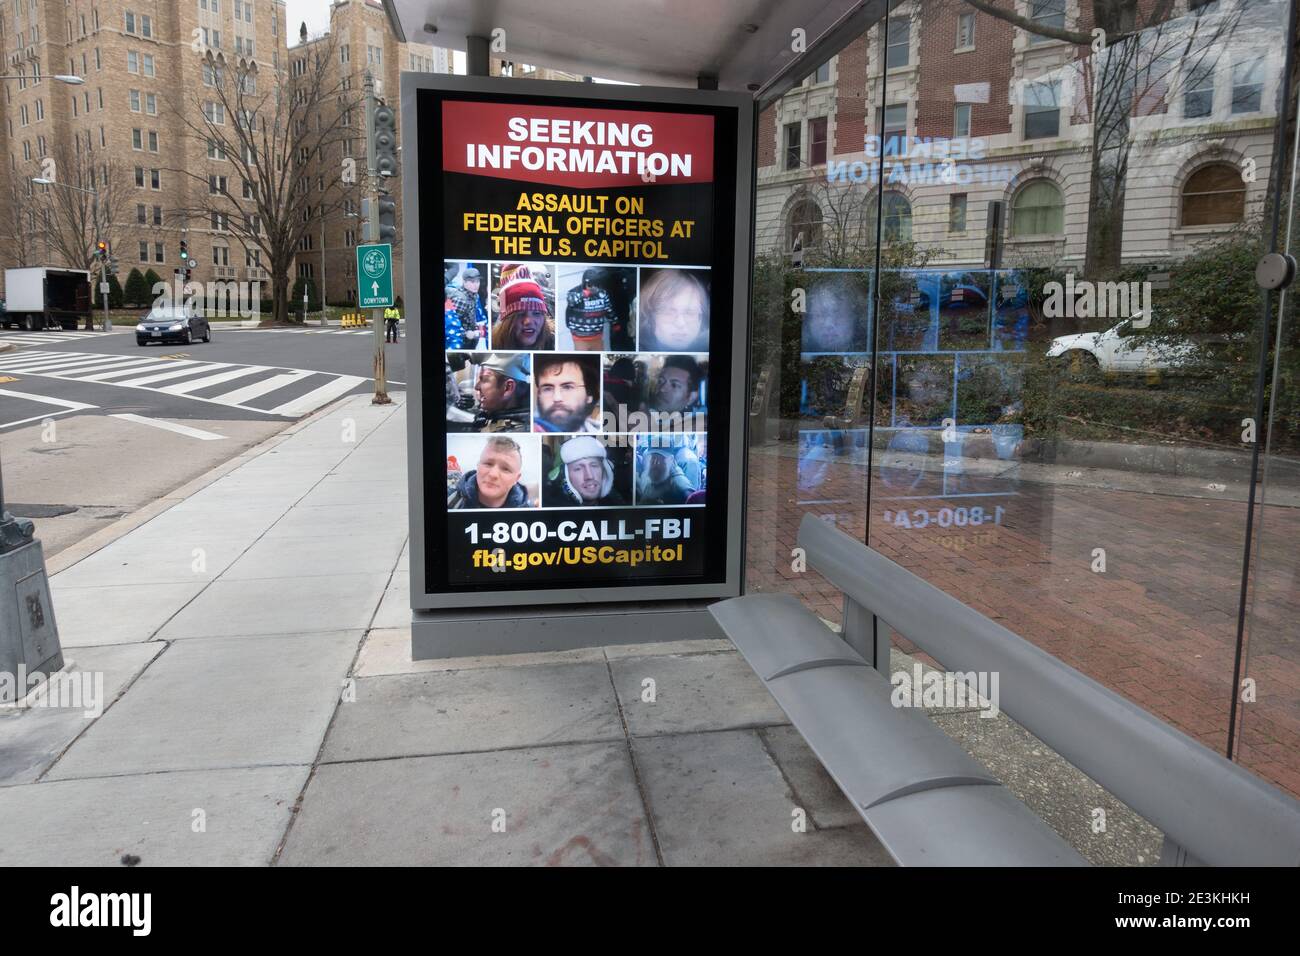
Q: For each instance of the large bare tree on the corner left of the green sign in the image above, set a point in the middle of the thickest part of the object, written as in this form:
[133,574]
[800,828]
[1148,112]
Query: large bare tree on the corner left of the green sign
[283,133]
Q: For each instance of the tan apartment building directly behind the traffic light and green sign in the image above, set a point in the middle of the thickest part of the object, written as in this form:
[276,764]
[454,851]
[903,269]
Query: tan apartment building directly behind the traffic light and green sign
[361,41]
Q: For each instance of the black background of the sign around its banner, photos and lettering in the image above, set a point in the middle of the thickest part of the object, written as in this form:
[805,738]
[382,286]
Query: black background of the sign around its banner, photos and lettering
[448,550]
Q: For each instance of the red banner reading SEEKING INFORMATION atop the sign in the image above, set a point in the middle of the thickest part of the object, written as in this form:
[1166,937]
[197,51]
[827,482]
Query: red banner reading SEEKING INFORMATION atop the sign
[578,148]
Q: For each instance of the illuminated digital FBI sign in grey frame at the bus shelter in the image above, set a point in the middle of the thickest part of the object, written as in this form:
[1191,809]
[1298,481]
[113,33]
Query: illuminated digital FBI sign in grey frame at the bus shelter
[583,309]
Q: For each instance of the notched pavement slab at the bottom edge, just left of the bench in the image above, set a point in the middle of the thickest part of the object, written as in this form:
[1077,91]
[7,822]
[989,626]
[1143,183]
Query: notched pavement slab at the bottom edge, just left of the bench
[720,801]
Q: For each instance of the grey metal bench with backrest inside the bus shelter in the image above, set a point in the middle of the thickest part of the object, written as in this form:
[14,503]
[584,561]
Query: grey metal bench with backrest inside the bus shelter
[924,797]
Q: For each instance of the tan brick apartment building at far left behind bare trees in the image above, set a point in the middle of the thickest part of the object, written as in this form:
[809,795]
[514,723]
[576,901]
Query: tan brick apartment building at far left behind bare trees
[142,64]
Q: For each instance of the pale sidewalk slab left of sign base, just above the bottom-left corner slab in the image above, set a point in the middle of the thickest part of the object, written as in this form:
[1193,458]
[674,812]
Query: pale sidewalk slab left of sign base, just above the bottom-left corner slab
[213,704]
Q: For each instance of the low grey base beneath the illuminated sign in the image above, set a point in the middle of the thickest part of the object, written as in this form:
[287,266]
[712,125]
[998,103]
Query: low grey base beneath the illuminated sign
[557,628]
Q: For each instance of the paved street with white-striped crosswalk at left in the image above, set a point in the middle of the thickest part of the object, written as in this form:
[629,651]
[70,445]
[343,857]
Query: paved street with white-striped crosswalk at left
[94,426]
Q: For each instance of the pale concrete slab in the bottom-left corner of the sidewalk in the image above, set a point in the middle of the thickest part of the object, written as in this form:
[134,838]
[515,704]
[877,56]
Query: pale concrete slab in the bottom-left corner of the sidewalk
[244,815]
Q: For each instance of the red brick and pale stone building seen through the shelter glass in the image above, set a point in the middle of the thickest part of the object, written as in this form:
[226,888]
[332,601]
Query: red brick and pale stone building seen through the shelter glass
[1012,111]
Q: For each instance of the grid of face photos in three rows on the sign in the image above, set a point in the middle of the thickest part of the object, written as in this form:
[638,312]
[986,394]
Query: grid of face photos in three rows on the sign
[577,386]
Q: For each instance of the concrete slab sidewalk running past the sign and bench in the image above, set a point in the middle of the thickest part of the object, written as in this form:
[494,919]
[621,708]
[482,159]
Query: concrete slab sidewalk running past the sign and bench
[262,708]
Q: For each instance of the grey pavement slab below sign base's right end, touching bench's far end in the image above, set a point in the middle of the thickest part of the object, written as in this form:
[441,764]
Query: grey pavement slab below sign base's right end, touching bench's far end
[694,693]
